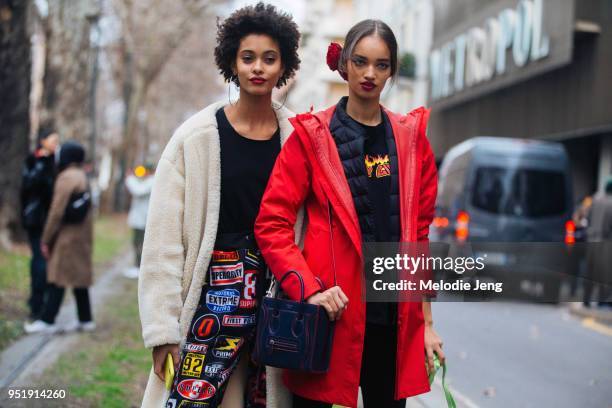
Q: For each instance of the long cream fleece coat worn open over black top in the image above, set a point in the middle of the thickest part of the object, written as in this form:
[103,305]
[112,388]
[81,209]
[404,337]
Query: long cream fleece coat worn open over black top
[179,239]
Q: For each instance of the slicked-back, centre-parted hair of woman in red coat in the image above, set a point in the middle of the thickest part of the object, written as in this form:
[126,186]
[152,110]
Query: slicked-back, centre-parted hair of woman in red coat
[363,29]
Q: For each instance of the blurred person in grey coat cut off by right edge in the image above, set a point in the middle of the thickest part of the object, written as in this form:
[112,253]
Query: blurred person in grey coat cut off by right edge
[599,234]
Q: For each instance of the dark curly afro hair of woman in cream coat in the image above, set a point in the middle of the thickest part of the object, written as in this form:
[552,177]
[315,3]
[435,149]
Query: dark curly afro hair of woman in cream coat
[259,19]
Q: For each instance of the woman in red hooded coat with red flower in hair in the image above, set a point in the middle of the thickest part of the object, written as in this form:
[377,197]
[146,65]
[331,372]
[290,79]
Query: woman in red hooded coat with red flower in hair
[363,174]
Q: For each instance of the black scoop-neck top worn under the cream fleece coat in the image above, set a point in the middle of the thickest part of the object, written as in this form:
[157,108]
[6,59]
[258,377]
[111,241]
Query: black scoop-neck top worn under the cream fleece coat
[246,165]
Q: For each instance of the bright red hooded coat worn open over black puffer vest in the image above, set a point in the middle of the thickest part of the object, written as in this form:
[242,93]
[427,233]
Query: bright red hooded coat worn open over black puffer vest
[308,173]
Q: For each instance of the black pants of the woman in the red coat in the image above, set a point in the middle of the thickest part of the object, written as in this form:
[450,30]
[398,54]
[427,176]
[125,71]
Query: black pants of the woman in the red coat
[377,379]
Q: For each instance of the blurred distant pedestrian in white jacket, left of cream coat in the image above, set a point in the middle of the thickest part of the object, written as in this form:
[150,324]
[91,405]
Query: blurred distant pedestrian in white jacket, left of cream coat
[139,186]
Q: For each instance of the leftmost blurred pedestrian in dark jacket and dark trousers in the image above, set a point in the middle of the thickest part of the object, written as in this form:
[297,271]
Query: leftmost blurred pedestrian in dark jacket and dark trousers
[37,181]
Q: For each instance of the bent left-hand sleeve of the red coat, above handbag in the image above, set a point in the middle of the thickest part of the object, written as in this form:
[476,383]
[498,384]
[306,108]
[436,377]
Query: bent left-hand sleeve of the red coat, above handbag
[289,184]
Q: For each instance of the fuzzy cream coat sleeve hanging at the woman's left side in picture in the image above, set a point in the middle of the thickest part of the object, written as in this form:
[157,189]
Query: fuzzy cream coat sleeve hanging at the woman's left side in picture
[163,257]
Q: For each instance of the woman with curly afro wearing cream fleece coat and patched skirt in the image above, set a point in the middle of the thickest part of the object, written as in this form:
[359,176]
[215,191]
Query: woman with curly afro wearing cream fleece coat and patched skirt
[202,275]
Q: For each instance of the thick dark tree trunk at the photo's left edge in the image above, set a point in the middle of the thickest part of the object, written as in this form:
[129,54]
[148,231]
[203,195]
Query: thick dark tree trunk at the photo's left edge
[15,70]
